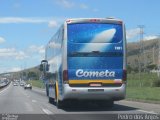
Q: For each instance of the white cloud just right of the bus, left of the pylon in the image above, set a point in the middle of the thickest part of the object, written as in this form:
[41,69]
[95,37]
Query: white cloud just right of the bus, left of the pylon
[132,33]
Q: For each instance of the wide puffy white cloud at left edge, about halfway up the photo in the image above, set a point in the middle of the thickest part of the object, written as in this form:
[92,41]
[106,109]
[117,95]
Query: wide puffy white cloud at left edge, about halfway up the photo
[12,53]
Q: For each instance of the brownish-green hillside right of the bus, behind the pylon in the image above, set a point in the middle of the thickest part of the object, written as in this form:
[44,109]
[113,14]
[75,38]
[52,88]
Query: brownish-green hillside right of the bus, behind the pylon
[148,57]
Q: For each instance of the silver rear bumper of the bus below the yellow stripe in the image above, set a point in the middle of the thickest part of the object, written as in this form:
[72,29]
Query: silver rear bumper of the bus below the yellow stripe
[94,93]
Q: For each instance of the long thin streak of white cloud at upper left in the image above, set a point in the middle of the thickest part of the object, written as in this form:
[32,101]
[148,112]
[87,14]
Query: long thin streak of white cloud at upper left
[22,20]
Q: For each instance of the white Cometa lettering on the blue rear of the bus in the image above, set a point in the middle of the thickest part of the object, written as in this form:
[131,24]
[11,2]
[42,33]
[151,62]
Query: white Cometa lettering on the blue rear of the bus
[106,73]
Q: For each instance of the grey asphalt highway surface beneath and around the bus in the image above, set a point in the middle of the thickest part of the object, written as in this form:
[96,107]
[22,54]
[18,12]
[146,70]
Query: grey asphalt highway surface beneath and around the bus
[15,100]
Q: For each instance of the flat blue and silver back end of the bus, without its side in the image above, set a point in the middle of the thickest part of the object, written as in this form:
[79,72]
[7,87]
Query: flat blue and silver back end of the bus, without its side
[96,60]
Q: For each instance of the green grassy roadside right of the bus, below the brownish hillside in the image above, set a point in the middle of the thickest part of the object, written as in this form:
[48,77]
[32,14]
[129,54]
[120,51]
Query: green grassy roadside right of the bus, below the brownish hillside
[142,88]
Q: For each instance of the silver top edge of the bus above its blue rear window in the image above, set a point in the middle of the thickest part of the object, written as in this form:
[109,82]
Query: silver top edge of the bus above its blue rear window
[95,20]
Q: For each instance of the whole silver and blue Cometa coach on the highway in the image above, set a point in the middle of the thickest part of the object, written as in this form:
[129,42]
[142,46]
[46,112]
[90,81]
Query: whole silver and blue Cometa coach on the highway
[86,61]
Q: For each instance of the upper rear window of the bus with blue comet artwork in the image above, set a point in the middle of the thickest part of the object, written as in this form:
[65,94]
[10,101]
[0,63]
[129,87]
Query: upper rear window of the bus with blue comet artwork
[94,33]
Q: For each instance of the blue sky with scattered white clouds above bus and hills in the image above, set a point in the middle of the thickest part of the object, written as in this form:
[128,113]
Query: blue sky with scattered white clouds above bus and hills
[27,25]
